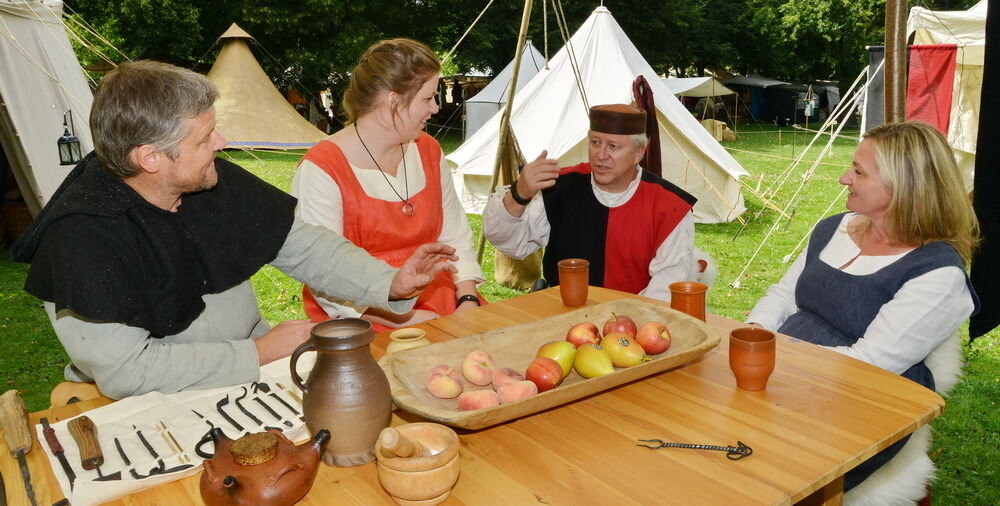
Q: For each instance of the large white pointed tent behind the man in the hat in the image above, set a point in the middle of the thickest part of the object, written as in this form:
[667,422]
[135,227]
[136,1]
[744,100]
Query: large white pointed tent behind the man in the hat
[550,114]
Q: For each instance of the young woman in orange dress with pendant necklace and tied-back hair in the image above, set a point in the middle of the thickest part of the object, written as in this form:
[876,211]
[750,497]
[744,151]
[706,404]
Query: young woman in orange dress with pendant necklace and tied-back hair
[382,182]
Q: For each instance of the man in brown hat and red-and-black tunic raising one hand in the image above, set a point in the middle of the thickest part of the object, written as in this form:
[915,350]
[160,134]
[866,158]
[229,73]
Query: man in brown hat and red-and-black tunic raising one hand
[634,227]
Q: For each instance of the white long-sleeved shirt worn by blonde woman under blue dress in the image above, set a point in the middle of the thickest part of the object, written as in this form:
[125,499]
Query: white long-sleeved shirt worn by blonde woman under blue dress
[924,312]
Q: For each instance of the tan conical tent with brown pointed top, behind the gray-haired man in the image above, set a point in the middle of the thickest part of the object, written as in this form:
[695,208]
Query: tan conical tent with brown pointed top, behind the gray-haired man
[250,111]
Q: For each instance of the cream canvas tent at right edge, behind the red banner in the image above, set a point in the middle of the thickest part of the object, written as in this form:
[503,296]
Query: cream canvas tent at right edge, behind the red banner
[967,29]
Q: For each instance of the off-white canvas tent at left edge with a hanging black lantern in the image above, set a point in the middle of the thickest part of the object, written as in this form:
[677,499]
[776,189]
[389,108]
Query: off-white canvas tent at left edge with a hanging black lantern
[40,79]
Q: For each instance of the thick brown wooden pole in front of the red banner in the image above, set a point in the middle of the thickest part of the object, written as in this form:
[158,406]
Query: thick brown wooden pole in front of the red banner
[895,61]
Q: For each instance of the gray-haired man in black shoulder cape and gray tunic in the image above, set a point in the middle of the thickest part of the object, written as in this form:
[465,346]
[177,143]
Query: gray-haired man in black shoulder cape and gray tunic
[144,254]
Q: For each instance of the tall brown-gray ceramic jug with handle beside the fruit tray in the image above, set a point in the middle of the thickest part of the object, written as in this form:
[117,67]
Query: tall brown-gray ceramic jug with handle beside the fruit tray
[346,393]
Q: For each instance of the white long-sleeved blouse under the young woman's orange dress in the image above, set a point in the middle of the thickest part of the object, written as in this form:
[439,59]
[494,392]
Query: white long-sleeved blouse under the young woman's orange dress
[321,203]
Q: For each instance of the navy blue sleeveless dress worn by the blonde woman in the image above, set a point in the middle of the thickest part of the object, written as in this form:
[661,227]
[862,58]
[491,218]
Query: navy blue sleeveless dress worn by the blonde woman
[835,308]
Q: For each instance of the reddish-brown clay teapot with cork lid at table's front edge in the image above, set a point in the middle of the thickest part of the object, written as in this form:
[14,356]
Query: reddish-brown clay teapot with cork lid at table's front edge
[267,469]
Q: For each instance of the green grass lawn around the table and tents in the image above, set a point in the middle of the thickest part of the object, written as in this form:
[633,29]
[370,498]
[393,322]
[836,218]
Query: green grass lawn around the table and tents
[966,443]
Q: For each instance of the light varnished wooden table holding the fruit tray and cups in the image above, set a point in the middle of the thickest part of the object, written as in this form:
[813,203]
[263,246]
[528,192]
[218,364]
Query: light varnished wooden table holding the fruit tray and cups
[821,415]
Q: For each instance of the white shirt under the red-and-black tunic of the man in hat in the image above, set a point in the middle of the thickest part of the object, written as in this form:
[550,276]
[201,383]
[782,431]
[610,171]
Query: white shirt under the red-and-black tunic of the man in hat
[519,237]
